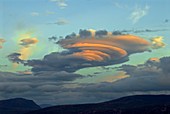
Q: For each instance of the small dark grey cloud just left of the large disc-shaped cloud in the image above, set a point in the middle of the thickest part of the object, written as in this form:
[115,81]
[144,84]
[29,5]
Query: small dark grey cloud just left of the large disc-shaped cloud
[14,57]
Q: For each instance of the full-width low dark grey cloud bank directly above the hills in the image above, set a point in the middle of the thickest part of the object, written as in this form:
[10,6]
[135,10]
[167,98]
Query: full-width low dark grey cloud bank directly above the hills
[151,77]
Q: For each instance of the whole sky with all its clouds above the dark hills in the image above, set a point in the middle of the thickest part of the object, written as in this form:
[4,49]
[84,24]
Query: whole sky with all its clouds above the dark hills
[80,51]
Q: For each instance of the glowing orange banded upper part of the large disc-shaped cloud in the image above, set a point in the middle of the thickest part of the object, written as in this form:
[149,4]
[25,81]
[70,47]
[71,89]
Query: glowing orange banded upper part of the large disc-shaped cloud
[109,47]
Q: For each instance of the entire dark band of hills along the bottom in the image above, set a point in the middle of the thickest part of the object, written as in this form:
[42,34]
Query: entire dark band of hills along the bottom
[137,104]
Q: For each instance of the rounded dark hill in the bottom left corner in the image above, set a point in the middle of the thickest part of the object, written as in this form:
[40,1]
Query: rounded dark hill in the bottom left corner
[17,106]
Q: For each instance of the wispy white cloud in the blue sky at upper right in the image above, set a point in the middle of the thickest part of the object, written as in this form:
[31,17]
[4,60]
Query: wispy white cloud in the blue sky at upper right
[138,13]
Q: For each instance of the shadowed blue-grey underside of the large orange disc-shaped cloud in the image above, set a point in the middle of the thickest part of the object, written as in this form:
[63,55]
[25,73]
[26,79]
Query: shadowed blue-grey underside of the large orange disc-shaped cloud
[64,61]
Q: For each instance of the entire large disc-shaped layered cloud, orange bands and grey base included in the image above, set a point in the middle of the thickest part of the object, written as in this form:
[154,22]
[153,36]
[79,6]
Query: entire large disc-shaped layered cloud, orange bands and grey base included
[90,48]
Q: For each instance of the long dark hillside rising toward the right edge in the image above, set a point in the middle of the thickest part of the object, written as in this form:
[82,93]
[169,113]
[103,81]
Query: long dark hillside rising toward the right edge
[138,104]
